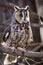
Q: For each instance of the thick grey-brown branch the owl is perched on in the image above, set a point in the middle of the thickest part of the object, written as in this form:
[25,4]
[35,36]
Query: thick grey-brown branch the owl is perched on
[21,52]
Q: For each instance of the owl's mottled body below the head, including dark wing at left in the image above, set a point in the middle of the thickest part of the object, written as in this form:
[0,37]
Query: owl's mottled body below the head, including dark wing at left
[18,35]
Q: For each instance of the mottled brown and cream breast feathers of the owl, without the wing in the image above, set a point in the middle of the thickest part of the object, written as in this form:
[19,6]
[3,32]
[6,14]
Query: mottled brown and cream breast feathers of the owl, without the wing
[21,34]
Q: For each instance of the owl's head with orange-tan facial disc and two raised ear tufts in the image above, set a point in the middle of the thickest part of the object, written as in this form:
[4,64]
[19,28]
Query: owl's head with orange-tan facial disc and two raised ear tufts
[22,14]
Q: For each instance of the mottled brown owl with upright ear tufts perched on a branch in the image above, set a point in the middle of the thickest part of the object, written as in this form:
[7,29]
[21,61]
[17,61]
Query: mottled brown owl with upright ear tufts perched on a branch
[20,32]
